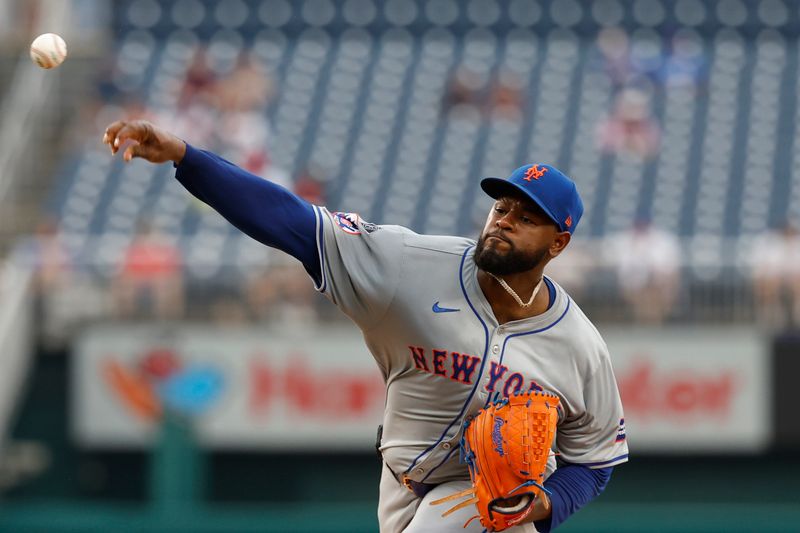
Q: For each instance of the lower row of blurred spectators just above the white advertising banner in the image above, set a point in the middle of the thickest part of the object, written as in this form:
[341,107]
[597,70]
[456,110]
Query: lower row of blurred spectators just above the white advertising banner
[640,270]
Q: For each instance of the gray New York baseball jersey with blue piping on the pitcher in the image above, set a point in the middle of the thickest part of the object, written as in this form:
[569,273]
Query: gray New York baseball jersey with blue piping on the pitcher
[443,354]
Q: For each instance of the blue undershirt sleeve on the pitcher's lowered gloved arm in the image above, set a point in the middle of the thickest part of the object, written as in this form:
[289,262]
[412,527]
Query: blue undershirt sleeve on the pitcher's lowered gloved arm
[572,487]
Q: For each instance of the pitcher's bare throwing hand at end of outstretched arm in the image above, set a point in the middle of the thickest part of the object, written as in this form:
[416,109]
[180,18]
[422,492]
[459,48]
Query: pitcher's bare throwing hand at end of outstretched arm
[147,141]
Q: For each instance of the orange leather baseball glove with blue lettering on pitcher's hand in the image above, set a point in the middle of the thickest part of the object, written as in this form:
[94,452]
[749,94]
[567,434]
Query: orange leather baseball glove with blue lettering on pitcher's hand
[506,447]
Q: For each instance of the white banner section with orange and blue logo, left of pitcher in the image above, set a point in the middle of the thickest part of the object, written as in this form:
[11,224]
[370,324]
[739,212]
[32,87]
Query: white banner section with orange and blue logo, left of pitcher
[244,388]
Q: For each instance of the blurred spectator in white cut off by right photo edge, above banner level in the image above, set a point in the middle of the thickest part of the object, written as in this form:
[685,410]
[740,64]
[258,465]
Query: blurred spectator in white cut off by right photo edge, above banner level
[776,277]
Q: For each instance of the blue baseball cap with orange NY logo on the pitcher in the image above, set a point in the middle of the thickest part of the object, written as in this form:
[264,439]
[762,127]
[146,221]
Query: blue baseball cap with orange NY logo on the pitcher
[547,186]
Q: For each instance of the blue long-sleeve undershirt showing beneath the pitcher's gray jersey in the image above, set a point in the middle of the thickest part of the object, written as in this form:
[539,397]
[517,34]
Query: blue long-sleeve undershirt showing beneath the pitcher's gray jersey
[278,218]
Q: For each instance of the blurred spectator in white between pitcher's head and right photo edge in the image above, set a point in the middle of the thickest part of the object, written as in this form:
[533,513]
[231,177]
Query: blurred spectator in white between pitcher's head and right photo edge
[647,262]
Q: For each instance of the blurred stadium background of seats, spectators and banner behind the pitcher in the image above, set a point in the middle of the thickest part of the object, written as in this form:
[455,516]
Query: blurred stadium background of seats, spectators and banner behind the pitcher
[159,371]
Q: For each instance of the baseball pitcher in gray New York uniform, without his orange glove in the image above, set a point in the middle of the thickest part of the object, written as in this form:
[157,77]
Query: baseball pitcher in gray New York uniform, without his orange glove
[452,323]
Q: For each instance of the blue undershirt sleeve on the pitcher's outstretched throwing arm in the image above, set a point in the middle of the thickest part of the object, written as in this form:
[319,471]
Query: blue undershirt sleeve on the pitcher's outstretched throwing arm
[261,209]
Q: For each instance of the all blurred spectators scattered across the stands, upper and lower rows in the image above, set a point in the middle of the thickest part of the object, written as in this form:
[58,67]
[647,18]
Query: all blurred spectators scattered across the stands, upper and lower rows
[224,108]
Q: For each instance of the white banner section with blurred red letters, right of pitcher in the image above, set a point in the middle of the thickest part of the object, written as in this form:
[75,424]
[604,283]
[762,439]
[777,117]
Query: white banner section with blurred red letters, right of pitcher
[693,389]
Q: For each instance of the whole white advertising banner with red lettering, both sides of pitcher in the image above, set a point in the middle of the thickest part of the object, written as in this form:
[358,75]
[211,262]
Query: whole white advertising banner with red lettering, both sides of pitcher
[684,390]
